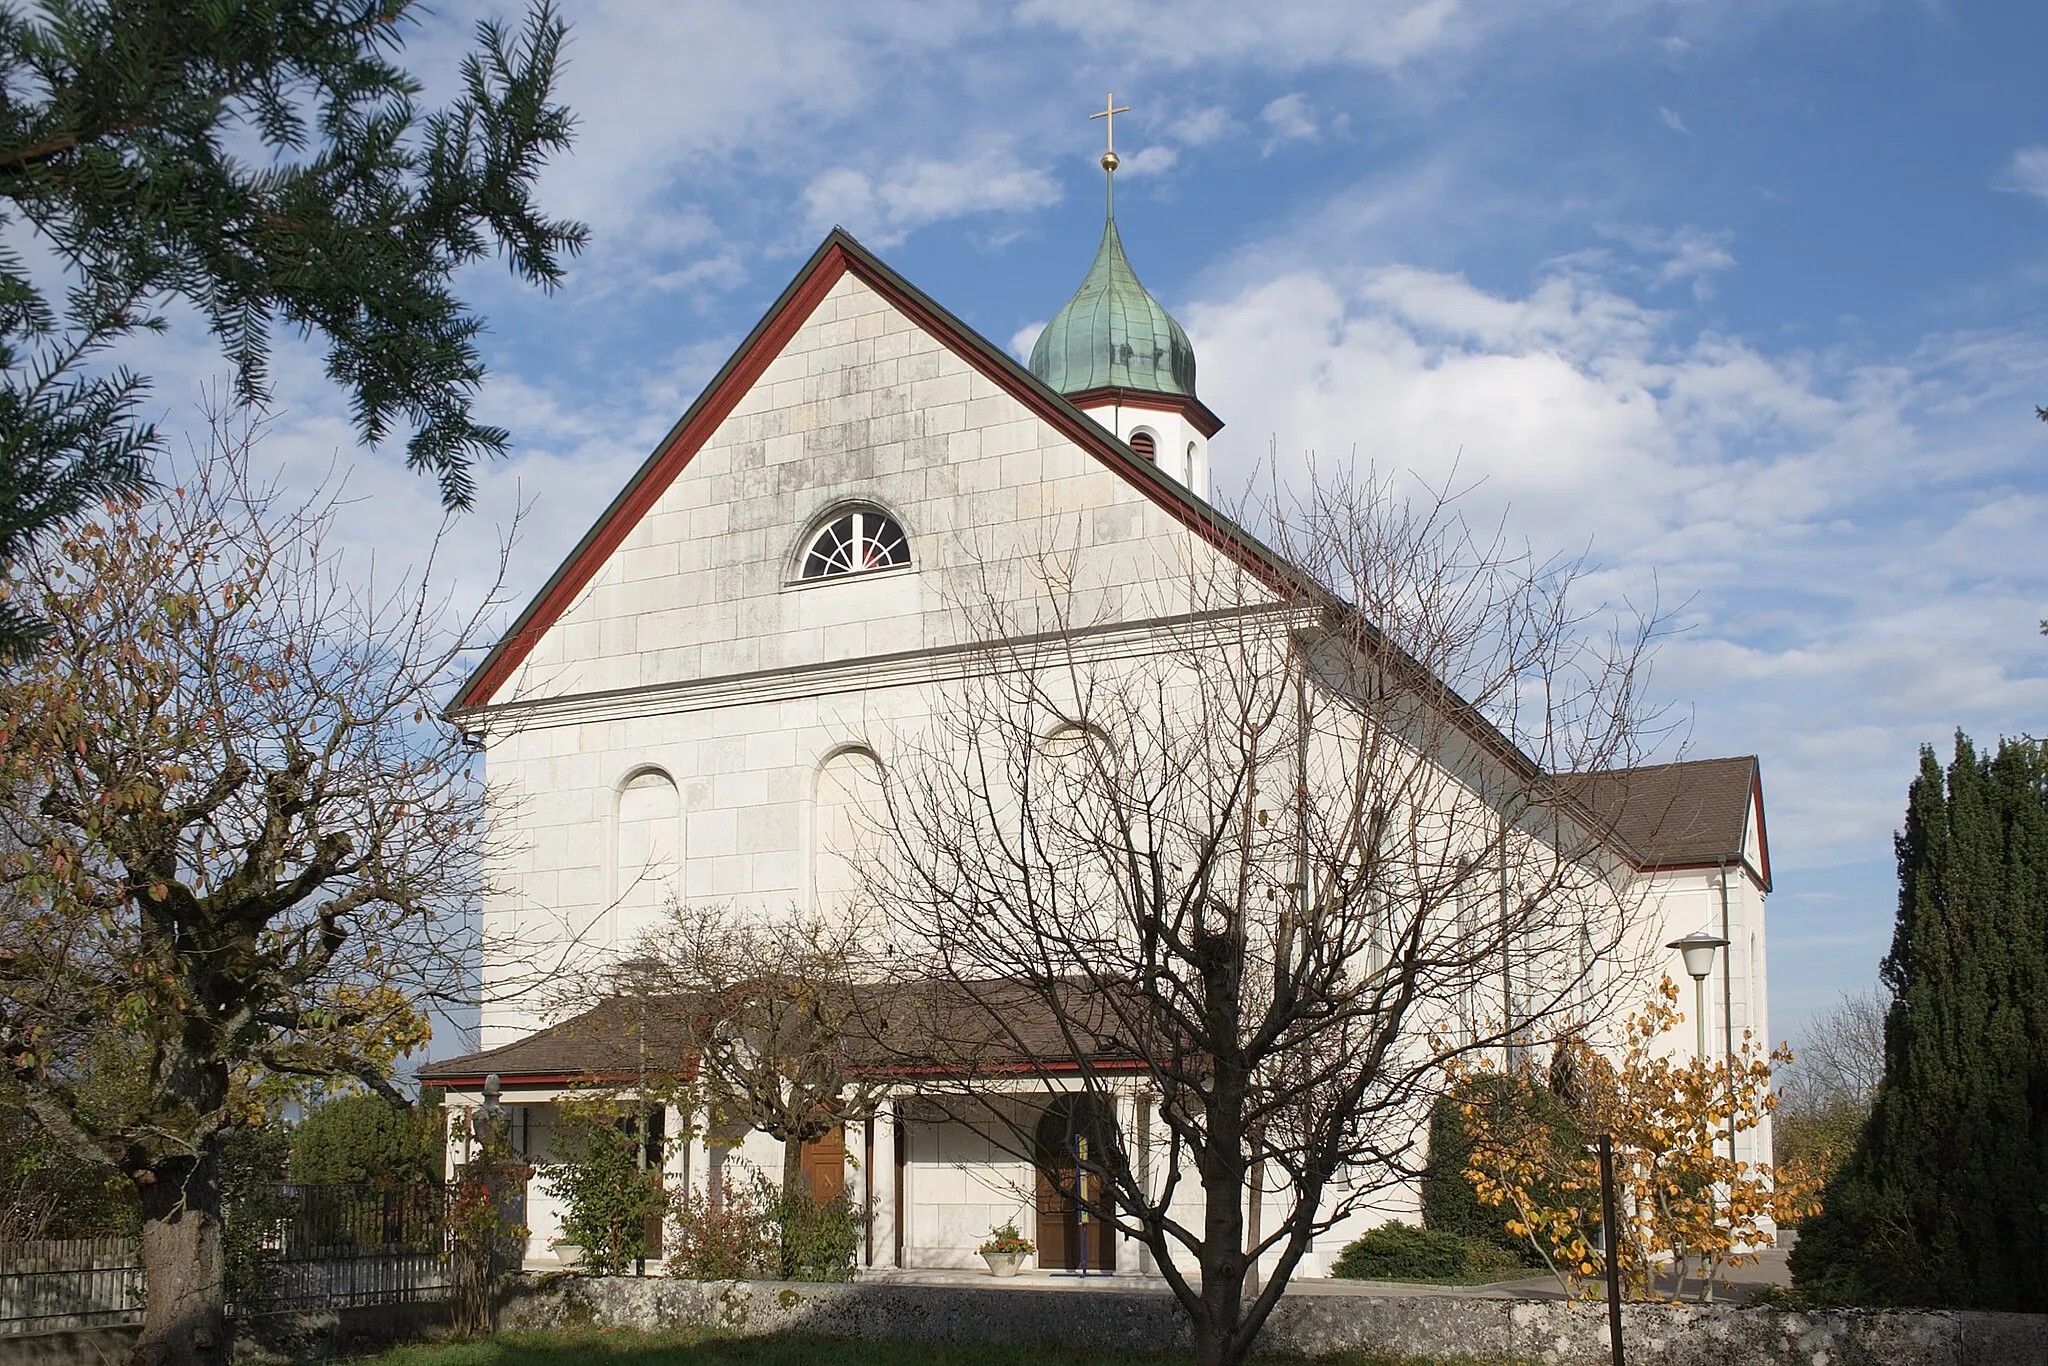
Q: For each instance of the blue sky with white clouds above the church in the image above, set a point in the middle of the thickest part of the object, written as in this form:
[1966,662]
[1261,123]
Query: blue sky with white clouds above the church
[1746,296]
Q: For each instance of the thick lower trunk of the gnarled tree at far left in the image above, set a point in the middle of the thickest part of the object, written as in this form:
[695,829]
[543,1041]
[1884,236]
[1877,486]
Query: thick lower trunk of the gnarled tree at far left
[185,1265]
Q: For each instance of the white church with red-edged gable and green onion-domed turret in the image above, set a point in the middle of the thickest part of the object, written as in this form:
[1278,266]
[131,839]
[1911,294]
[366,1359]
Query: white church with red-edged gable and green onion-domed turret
[699,706]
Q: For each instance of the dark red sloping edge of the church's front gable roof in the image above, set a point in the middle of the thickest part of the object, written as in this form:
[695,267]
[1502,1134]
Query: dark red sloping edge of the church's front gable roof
[841,255]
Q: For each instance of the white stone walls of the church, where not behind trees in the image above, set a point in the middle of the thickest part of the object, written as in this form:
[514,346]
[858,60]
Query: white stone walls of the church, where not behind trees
[697,720]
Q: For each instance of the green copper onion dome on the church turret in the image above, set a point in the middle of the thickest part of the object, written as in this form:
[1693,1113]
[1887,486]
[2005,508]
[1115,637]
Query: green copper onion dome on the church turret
[1113,335]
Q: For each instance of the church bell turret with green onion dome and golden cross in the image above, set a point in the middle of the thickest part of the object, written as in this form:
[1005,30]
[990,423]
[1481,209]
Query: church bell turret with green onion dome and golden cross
[1121,359]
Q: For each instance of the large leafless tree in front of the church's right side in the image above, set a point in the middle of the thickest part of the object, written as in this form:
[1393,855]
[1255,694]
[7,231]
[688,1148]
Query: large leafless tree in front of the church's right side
[1269,863]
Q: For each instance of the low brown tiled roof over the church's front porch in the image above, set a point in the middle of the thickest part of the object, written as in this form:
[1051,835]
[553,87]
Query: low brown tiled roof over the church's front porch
[937,1027]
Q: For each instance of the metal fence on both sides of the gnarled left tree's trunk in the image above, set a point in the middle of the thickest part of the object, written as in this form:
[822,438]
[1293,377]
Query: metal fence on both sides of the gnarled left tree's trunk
[288,1246]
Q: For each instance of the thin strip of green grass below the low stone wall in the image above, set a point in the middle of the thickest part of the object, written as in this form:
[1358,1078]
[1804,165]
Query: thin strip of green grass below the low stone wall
[701,1349]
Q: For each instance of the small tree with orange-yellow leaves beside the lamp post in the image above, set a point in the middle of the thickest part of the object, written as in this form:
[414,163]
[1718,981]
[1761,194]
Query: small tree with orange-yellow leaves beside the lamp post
[1682,1197]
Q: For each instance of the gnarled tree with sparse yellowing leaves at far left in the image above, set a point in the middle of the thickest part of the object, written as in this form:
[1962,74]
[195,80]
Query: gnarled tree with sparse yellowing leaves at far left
[237,847]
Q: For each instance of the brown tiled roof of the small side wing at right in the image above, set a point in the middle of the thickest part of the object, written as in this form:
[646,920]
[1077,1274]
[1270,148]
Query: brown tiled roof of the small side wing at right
[1678,814]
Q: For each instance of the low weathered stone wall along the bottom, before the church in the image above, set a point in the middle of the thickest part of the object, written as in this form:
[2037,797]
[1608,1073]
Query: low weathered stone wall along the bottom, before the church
[1551,1332]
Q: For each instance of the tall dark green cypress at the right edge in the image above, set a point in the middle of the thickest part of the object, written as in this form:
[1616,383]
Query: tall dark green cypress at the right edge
[1947,1195]
